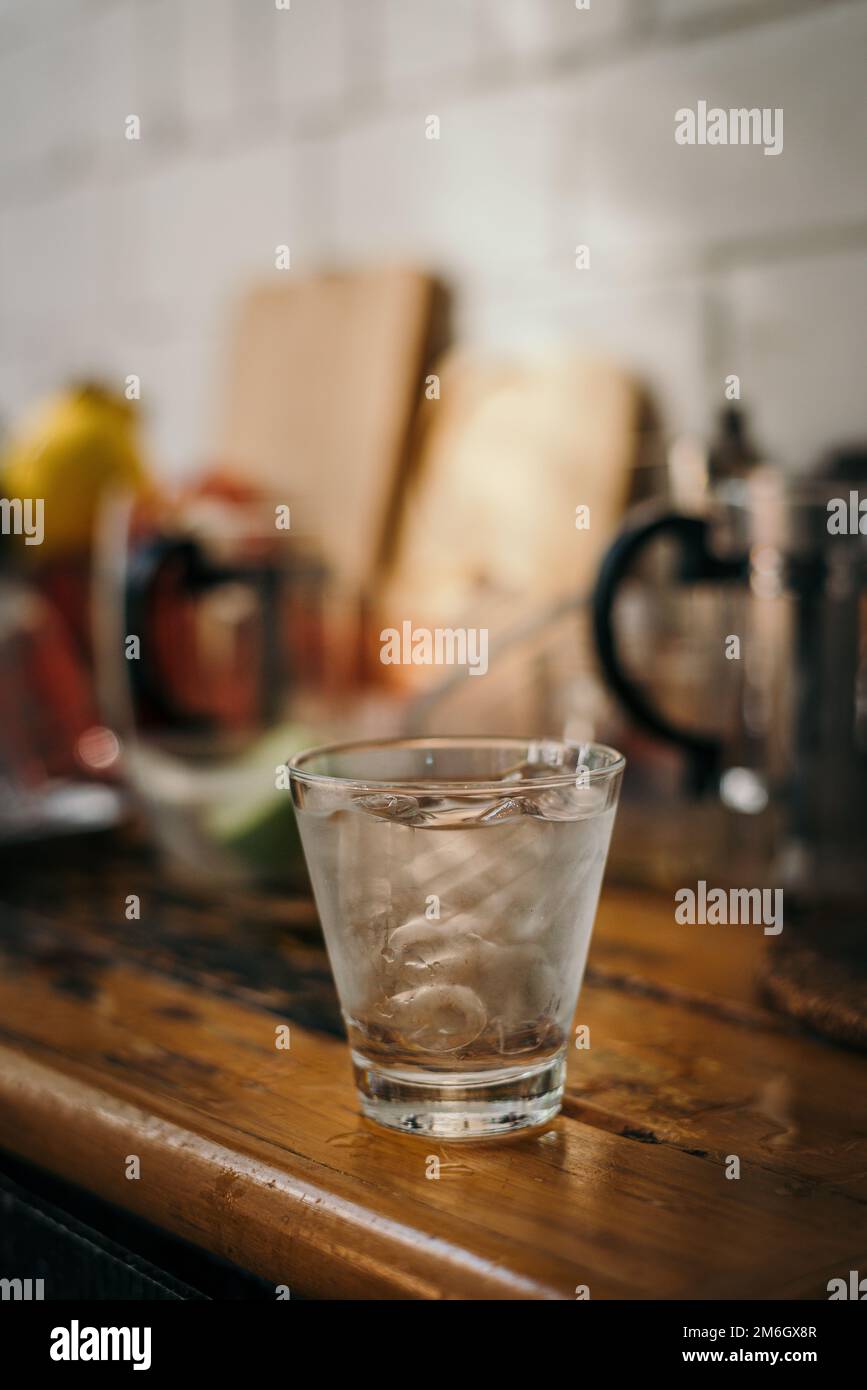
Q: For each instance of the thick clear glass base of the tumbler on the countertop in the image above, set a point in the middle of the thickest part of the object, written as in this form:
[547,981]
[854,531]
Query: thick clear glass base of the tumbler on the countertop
[462,1106]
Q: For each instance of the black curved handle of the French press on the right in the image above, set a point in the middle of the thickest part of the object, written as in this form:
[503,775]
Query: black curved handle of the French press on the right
[698,565]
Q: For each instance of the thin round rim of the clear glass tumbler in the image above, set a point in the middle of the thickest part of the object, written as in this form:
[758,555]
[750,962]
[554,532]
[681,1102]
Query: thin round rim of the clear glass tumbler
[455,785]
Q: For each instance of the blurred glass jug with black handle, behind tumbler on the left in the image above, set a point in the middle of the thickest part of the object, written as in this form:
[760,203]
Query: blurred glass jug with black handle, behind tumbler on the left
[209,623]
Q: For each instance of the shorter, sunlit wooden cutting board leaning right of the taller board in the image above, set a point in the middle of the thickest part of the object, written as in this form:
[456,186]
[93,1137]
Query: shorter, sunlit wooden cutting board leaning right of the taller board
[508,455]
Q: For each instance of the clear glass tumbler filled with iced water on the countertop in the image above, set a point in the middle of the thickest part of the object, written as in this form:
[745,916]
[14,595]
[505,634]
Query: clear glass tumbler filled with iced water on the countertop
[458,881]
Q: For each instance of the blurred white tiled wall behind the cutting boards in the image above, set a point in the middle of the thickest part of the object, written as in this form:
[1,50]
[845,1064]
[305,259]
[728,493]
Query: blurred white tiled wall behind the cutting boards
[558,127]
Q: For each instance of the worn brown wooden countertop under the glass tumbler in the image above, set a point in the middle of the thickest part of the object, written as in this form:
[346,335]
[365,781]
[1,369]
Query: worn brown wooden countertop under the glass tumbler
[158,1039]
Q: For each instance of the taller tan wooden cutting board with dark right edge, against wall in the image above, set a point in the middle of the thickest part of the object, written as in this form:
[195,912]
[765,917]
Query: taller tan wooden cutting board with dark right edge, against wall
[323,384]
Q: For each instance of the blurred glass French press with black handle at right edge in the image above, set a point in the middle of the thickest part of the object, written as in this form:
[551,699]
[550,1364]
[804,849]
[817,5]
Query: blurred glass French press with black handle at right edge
[793,648]
